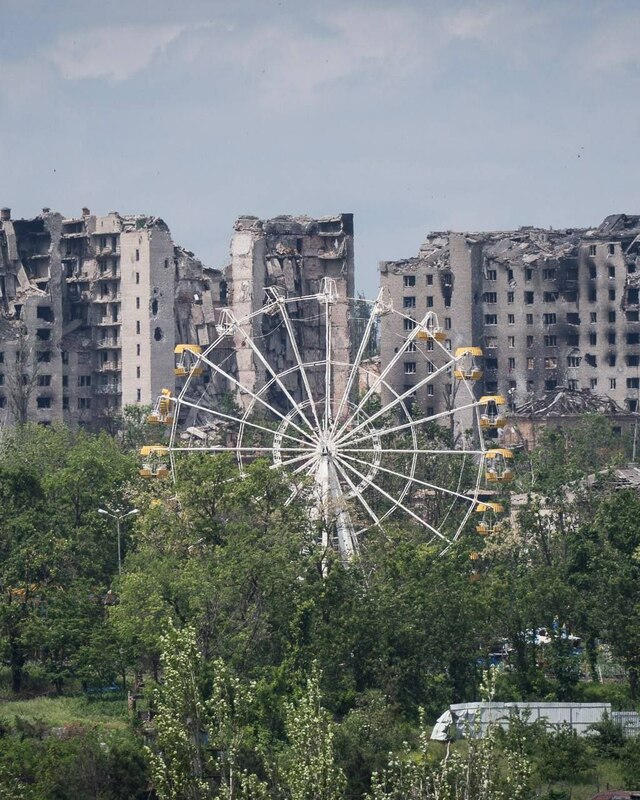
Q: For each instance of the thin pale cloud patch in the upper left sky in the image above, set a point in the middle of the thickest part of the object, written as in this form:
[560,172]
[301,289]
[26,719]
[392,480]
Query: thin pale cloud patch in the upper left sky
[112,52]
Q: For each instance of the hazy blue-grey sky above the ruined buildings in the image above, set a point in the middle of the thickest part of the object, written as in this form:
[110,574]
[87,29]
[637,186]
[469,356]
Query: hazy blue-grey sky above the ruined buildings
[414,115]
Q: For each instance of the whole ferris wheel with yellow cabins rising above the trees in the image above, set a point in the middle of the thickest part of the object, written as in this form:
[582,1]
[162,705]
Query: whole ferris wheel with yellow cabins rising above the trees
[281,383]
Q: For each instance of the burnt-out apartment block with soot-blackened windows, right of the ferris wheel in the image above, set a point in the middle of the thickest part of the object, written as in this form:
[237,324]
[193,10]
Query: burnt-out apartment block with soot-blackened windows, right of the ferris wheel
[549,308]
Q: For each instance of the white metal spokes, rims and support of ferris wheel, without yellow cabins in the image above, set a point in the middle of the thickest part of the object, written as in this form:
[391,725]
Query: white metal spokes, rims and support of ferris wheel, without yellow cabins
[339,472]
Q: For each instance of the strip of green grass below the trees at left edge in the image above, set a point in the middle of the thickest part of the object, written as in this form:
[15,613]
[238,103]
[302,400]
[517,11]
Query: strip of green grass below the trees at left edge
[58,712]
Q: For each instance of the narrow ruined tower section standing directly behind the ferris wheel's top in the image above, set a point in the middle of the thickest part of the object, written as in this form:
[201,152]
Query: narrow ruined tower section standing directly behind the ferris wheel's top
[294,254]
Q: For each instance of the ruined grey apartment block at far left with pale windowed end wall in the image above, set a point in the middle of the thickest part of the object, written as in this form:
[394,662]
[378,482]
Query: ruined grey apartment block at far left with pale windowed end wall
[90,310]
